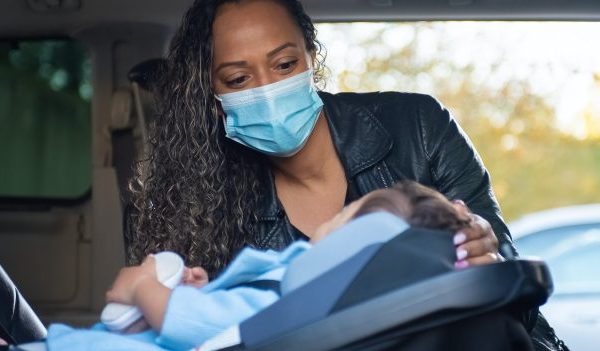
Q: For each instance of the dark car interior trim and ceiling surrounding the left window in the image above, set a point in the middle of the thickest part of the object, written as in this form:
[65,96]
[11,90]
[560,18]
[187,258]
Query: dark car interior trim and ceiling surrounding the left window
[64,252]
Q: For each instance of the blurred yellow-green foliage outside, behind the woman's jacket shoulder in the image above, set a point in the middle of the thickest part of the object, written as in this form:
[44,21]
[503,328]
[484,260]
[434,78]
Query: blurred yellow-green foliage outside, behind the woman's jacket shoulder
[533,165]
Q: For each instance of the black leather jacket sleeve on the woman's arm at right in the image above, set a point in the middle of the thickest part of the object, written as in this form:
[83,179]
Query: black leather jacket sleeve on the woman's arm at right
[457,169]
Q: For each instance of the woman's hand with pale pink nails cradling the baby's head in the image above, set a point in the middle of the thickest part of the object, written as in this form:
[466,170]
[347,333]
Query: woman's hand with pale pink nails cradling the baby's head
[476,244]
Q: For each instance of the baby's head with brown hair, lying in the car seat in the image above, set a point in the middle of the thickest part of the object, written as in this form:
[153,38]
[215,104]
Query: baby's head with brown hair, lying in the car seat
[418,205]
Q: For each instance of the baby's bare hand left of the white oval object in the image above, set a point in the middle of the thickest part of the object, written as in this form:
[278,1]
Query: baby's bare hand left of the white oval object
[129,279]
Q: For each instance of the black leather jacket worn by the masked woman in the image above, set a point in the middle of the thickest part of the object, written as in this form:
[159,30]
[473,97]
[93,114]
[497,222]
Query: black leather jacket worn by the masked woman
[382,138]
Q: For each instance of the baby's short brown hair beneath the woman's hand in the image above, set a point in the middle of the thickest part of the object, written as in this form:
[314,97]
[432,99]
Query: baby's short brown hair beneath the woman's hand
[419,205]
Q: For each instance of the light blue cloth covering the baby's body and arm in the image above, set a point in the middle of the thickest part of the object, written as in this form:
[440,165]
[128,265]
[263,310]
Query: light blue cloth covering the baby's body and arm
[193,314]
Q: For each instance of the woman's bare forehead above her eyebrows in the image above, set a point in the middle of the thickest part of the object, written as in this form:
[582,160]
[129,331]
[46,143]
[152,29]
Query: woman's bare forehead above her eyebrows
[253,27]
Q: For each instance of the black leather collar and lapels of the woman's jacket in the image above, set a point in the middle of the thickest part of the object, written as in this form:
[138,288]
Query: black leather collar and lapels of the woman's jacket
[359,139]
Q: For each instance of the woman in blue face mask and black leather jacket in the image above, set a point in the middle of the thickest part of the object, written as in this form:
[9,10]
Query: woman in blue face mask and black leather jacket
[245,151]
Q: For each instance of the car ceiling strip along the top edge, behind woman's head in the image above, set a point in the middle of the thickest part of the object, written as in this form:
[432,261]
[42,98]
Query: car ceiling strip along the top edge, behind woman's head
[65,17]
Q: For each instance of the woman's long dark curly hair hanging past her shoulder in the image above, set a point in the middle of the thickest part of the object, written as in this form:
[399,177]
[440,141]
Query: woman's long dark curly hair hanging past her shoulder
[196,192]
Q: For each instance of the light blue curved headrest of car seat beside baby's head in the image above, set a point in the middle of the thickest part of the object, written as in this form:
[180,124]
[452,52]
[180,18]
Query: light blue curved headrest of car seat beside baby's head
[340,245]
